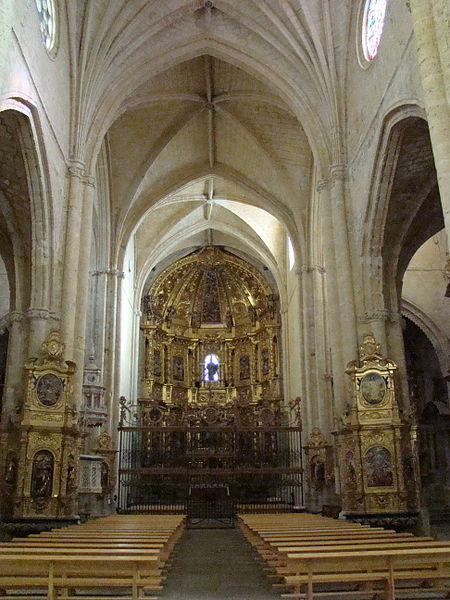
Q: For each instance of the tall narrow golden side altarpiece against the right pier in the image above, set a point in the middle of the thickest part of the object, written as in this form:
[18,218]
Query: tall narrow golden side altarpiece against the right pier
[376,443]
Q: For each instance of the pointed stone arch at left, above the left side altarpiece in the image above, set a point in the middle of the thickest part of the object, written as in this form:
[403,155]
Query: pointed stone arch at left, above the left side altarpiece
[30,234]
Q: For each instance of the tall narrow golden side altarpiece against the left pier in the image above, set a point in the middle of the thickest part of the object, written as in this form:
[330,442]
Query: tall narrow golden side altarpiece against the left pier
[40,478]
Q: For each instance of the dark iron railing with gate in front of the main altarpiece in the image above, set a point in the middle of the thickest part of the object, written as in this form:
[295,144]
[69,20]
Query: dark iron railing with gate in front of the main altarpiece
[209,471]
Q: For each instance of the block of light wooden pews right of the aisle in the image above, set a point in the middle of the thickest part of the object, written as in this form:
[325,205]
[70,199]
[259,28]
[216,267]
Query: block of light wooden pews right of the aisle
[320,557]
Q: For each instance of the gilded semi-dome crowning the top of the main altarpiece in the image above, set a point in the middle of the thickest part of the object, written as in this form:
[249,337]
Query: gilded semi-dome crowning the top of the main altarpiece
[210,289]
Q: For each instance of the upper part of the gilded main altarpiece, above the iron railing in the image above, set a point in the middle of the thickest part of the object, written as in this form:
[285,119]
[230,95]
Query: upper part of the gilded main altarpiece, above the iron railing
[210,303]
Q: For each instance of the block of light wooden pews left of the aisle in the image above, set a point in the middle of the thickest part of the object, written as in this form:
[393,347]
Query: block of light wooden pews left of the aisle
[105,558]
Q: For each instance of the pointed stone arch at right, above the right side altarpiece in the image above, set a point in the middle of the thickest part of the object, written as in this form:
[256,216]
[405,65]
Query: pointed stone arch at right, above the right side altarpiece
[389,242]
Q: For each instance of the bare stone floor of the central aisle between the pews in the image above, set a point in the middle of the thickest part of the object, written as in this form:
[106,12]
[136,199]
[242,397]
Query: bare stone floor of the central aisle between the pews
[215,564]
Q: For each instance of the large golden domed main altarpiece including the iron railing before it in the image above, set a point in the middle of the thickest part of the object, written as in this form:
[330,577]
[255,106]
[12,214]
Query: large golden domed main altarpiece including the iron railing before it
[211,415]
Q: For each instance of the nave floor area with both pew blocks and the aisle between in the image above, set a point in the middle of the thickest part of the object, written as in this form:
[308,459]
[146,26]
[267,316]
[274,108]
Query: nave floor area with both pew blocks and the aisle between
[304,556]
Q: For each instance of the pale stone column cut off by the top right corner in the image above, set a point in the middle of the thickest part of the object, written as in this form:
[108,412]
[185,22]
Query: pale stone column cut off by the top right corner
[431,29]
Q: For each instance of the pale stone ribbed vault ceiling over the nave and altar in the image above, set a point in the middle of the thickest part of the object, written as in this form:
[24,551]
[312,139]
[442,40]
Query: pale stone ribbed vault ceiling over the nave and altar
[212,113]
